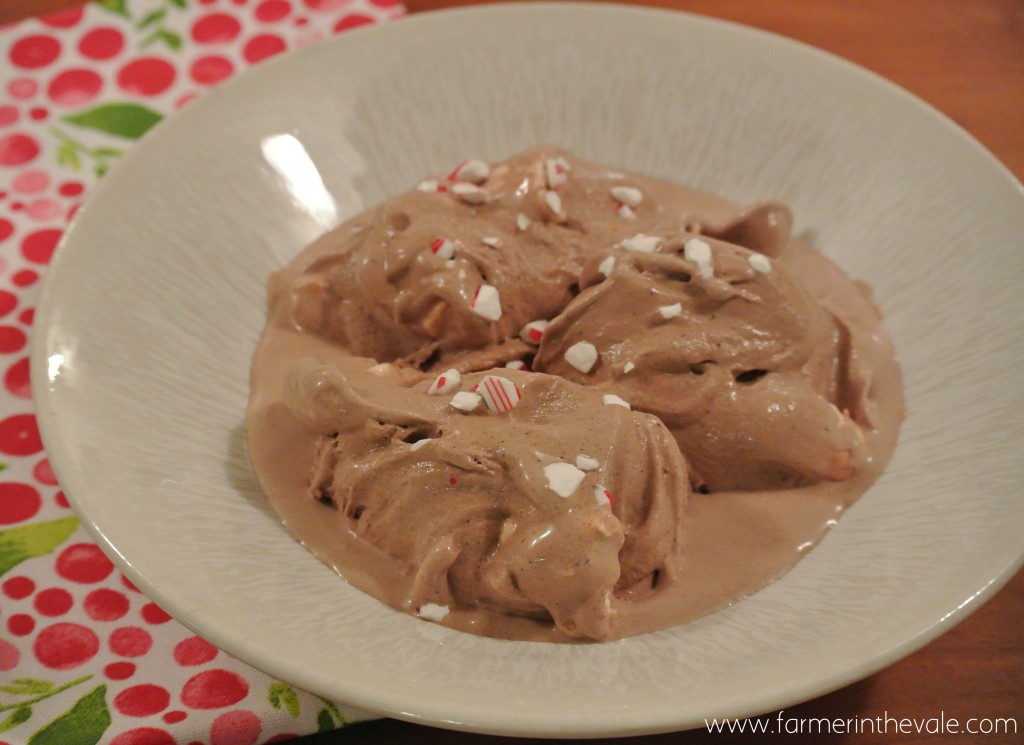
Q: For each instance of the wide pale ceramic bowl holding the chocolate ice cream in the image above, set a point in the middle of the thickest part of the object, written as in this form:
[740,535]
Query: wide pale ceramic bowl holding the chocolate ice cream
[155,302]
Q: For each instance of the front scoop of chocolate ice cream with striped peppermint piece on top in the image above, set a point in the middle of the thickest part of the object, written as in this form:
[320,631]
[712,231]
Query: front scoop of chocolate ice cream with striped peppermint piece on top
[513,492]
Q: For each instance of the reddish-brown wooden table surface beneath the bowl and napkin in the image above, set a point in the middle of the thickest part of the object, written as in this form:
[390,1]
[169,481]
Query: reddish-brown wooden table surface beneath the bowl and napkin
[966,58]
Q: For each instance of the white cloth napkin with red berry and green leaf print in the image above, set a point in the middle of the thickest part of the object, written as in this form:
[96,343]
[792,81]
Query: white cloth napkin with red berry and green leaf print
[84,658]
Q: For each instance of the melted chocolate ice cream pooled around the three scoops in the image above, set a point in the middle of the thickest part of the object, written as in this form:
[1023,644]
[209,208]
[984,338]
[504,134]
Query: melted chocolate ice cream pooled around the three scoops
[734,542]
